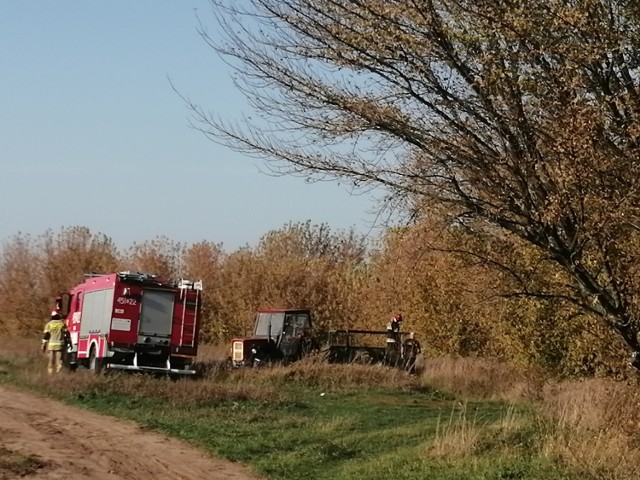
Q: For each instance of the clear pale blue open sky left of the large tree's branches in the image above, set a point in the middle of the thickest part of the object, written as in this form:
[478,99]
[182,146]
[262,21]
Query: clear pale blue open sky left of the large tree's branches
[92,134]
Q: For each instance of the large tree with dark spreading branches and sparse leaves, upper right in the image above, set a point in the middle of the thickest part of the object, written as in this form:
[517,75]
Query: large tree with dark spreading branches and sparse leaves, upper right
[514,115]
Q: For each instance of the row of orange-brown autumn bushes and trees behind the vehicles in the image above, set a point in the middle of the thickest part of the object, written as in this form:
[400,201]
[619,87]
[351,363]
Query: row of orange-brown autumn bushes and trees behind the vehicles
[458,304]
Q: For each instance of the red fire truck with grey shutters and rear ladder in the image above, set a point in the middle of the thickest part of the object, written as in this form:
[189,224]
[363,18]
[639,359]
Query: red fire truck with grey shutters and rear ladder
[133,321]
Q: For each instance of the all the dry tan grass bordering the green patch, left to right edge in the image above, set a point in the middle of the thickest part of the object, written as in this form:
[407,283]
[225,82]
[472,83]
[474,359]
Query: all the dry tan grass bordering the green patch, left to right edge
[591,425]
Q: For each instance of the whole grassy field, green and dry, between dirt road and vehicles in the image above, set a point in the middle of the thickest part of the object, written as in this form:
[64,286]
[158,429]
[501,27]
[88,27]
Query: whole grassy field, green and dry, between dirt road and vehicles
[316,421]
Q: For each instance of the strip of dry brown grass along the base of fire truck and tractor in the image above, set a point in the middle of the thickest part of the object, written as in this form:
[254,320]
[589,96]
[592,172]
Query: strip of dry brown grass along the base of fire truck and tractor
[218,382]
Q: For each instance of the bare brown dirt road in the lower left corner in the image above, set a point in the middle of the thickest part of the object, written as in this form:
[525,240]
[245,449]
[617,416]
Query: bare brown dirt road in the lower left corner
[44,439]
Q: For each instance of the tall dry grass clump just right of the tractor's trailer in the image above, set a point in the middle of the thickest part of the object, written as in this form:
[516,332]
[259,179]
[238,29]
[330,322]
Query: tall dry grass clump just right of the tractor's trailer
[481,378]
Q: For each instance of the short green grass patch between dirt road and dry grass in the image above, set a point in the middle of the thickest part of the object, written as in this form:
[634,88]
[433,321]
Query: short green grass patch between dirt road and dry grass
[368,434]
